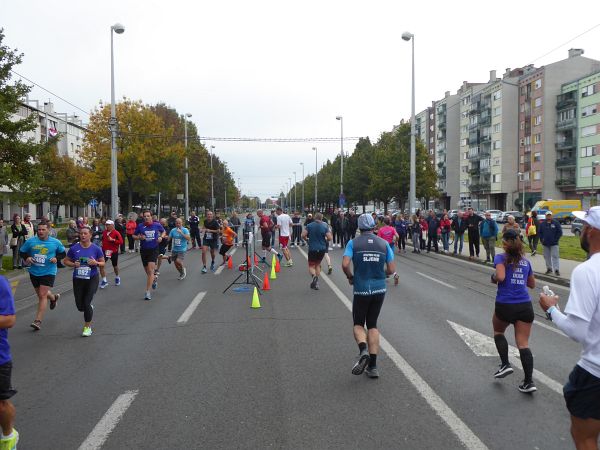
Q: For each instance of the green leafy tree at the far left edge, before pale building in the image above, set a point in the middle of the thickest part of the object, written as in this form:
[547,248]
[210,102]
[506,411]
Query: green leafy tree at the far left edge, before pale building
[19,156]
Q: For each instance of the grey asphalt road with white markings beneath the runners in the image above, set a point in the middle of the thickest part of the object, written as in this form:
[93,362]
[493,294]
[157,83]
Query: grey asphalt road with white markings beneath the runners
[279,376]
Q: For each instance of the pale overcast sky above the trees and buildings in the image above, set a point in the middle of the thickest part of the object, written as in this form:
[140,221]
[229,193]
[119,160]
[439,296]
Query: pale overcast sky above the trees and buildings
[278,69]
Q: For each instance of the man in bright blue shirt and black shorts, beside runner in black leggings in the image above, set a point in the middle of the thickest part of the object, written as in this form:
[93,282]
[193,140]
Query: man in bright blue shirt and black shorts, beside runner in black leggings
[41,253]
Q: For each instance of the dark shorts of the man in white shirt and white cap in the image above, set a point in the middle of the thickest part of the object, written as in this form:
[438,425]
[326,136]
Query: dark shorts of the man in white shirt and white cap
[582,394]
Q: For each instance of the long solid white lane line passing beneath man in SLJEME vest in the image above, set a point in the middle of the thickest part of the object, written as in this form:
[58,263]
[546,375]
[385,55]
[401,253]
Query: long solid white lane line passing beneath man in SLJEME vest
[458,427]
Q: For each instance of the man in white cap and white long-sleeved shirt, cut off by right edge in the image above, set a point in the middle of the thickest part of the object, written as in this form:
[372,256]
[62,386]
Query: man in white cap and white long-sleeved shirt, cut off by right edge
[581,322]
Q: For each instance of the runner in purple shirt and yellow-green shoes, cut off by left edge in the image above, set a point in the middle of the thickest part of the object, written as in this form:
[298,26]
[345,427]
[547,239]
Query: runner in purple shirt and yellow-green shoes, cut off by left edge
[10,436]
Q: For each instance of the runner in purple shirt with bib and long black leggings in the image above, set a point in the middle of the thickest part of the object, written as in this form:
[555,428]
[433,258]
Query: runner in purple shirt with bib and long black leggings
[85,257]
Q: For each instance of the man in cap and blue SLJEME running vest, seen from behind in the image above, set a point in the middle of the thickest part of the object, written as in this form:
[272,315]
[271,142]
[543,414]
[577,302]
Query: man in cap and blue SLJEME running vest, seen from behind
[372,259]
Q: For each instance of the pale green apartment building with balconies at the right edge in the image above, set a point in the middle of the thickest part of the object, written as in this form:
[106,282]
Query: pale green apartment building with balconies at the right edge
[578,138]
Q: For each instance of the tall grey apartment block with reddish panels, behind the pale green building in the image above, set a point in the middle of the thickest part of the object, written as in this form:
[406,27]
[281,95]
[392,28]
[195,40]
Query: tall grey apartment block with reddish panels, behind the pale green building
[546,143]
